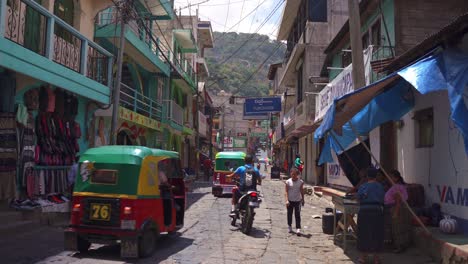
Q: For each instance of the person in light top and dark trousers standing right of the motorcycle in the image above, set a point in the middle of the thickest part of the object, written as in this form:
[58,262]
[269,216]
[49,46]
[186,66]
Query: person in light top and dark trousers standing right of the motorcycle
[294,196]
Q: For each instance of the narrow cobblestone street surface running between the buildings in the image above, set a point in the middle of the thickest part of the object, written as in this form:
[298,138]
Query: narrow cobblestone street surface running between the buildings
[208,237]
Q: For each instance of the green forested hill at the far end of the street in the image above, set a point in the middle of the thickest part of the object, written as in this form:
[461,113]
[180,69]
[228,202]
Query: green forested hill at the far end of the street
[232,74]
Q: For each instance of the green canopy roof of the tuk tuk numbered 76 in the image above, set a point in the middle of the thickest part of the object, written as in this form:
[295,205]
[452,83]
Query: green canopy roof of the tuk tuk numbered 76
[124,154]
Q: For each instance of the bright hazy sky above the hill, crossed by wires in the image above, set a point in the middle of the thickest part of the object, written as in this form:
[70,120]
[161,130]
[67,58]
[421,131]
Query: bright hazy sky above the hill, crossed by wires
[225,14]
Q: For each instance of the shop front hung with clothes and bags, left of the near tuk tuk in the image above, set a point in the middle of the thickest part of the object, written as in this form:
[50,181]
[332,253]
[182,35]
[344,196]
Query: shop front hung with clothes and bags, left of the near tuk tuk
[42,132]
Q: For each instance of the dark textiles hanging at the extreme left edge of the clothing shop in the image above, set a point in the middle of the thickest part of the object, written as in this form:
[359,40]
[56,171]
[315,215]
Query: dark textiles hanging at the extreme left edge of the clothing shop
[8,155]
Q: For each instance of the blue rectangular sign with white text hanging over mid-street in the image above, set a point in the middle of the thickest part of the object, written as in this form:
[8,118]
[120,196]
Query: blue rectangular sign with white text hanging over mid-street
[262,106]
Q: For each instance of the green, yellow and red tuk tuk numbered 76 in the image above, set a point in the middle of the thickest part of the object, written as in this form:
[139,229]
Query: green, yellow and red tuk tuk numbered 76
[129,194]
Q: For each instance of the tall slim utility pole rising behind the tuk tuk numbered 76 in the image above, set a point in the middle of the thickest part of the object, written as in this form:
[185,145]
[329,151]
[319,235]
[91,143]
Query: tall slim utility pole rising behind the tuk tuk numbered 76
[124,10]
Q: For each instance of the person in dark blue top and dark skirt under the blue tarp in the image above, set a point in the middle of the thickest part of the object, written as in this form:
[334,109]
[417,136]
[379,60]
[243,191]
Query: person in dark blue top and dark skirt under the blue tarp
[370,218]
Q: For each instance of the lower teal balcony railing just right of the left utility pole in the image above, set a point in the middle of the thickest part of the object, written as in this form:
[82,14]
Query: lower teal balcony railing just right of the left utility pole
[139,103]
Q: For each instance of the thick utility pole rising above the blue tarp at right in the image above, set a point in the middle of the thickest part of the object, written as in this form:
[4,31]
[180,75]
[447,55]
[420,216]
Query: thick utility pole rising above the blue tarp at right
[359,78]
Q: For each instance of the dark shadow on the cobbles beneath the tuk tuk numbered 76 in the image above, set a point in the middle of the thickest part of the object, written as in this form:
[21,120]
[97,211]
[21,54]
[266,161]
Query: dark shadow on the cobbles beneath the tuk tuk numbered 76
[166,246]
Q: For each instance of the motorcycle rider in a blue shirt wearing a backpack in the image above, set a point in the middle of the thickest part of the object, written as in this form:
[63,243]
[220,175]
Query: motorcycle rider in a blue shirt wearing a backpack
[241,172]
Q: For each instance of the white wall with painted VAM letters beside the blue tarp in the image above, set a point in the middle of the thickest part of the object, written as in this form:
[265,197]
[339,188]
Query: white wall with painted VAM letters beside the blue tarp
[445,164]
